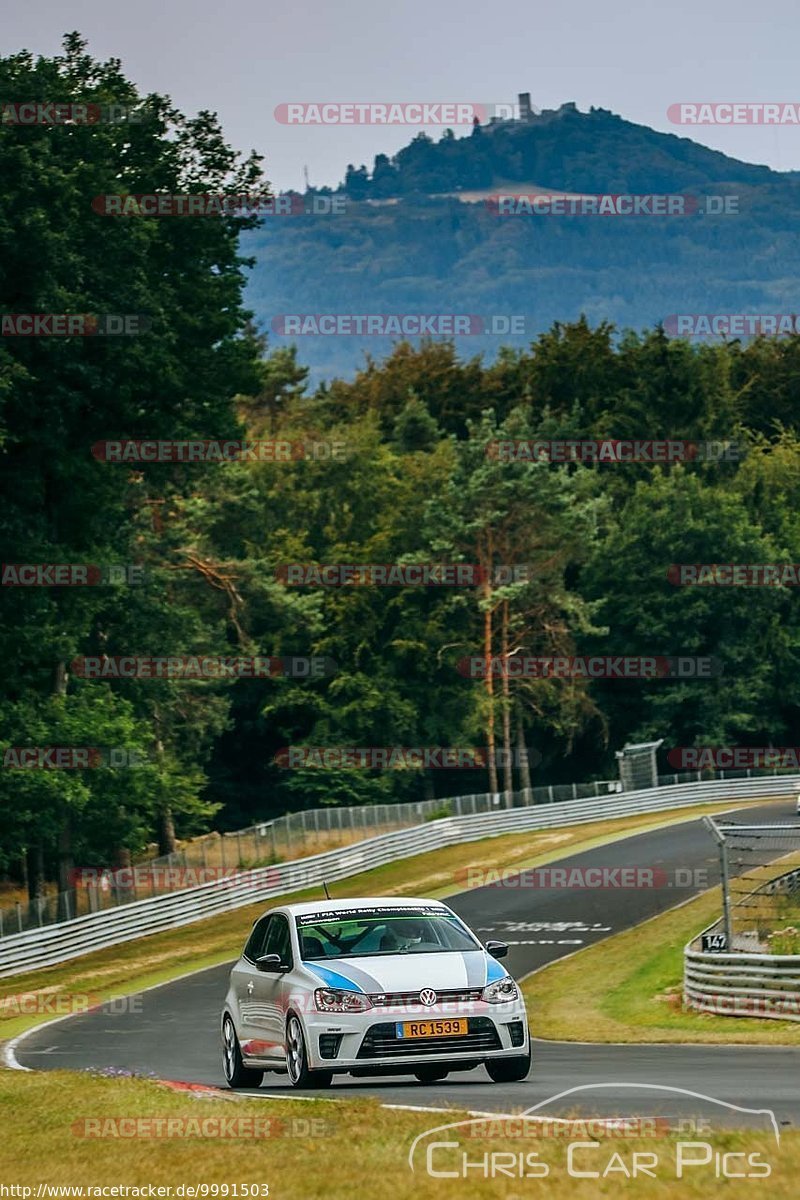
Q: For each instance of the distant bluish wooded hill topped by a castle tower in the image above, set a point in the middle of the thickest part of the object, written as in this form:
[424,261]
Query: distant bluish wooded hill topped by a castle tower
[419,237]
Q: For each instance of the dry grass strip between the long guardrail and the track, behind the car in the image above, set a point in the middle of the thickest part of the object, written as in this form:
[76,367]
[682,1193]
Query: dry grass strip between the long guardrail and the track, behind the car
[125,969]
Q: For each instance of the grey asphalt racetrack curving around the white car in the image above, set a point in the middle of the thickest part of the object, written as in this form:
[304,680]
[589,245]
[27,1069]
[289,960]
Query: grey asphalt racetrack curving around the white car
[173,1031]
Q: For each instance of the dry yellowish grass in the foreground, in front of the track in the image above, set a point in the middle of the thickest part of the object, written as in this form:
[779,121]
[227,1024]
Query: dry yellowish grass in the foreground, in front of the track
[316,1149]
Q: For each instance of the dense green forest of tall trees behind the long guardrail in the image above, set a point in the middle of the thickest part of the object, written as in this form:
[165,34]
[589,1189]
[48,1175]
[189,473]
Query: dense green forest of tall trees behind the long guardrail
[395,465]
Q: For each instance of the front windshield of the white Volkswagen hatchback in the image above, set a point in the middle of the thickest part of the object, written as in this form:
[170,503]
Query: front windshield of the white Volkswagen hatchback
[372,932]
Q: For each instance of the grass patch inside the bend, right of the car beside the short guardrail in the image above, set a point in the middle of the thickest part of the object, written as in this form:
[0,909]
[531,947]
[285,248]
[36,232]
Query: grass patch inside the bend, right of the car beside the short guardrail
[636,989]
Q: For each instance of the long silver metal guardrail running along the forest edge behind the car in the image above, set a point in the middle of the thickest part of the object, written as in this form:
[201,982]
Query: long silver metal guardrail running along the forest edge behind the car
[71,939]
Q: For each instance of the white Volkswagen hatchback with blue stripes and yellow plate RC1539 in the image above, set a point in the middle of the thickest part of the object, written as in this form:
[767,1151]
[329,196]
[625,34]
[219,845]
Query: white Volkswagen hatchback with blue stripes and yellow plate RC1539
[371,987]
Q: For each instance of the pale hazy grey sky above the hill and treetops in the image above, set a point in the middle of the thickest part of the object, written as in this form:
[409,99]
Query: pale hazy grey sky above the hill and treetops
[243,59]
